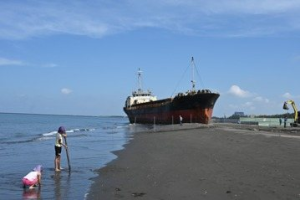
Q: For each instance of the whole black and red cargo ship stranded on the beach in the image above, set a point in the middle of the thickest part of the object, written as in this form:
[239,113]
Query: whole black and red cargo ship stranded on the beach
[194,106]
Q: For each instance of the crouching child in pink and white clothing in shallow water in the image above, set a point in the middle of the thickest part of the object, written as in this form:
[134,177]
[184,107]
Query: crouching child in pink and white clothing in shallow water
[33,178]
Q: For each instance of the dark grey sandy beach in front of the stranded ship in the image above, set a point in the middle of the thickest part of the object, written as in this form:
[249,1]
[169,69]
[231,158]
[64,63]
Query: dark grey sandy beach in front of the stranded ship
[212,162]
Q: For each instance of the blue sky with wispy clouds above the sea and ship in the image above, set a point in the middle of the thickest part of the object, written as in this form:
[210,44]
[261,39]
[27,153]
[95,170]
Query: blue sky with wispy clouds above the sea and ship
[81,57]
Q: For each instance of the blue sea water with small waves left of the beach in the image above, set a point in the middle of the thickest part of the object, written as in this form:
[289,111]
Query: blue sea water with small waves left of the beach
[27,140]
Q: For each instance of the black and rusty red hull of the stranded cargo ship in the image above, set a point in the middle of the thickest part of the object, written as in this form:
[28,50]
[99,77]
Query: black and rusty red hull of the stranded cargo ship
[196,108]
